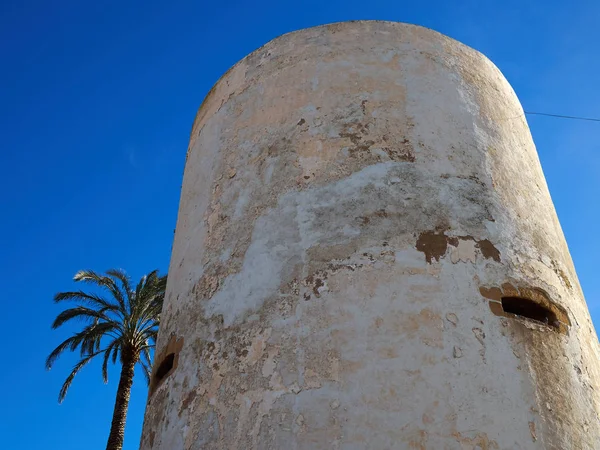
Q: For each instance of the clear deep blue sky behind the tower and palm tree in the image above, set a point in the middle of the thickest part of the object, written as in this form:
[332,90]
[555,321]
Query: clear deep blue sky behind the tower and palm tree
[96,104]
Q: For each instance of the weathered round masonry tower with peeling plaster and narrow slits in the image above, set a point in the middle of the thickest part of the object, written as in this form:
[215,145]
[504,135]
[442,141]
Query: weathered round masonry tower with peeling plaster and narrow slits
[363,211]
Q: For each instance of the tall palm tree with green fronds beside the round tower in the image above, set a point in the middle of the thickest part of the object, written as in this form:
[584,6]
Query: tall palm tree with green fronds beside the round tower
[122,325]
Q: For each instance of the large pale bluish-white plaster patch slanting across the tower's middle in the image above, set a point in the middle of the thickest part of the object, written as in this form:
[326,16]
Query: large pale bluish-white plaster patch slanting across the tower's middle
[283,234]
